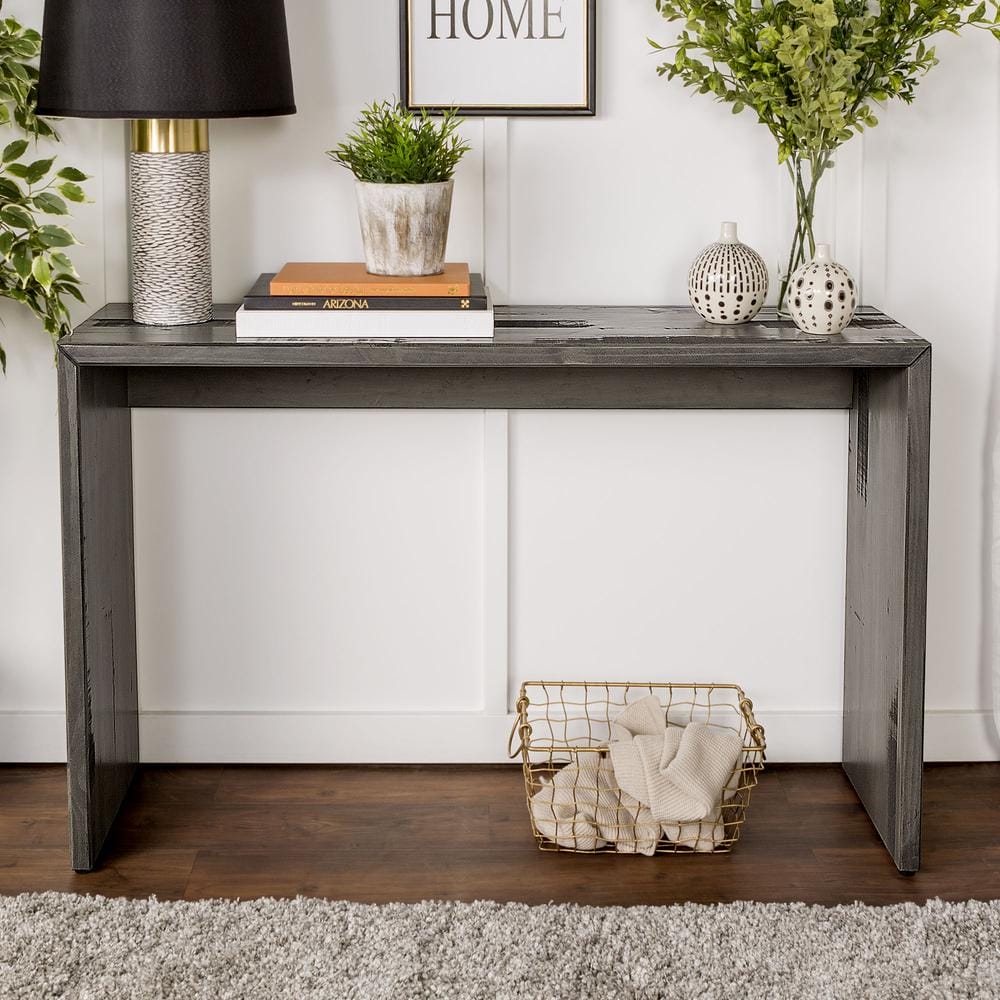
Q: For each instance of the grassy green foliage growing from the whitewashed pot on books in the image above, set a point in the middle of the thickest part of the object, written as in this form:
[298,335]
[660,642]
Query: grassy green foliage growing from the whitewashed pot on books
[391,145]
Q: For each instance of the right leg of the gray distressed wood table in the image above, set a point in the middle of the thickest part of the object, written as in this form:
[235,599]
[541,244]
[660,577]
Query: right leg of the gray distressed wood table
[887,600]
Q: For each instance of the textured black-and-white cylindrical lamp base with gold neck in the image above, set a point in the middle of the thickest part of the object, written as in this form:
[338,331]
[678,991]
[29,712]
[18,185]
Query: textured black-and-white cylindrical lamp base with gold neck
[170,231]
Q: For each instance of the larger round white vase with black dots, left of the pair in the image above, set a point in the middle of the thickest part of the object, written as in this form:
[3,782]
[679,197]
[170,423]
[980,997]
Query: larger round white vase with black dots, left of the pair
[727,283]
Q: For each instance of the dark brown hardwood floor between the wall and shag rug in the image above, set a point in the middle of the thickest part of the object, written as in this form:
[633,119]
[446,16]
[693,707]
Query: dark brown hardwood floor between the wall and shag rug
[409,833]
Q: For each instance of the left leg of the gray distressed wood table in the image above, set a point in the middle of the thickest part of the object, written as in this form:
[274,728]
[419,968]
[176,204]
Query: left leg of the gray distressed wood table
[102,717]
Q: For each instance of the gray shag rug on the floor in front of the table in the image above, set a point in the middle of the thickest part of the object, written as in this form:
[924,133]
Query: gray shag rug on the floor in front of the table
[90,948]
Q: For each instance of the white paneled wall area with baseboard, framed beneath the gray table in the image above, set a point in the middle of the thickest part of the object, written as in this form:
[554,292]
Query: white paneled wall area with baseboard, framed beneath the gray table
[375,585]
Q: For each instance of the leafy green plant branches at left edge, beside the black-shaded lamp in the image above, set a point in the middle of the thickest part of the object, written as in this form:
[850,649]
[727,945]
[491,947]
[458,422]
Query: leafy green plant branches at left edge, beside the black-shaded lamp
[33,268]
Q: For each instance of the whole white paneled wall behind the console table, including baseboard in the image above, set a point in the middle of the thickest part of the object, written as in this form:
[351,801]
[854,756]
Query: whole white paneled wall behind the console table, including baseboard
[364,585]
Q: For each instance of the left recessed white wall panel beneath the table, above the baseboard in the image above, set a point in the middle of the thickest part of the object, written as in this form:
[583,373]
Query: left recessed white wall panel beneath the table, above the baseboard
[335,565]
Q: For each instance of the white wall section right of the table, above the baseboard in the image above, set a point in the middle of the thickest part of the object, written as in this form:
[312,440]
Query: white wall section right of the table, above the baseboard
[941,162]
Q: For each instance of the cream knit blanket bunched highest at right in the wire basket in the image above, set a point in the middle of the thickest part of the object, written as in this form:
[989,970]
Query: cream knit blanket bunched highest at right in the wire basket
[680,773]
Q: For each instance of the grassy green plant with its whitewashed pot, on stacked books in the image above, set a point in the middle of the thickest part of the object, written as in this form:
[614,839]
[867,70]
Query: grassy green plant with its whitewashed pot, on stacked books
[403,164]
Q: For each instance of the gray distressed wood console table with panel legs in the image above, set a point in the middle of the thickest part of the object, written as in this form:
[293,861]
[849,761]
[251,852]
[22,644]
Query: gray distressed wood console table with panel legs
[558,357]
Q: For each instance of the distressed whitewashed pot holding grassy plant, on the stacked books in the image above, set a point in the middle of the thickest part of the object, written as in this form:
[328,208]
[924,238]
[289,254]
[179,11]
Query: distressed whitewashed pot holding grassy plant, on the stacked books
[404,227]
